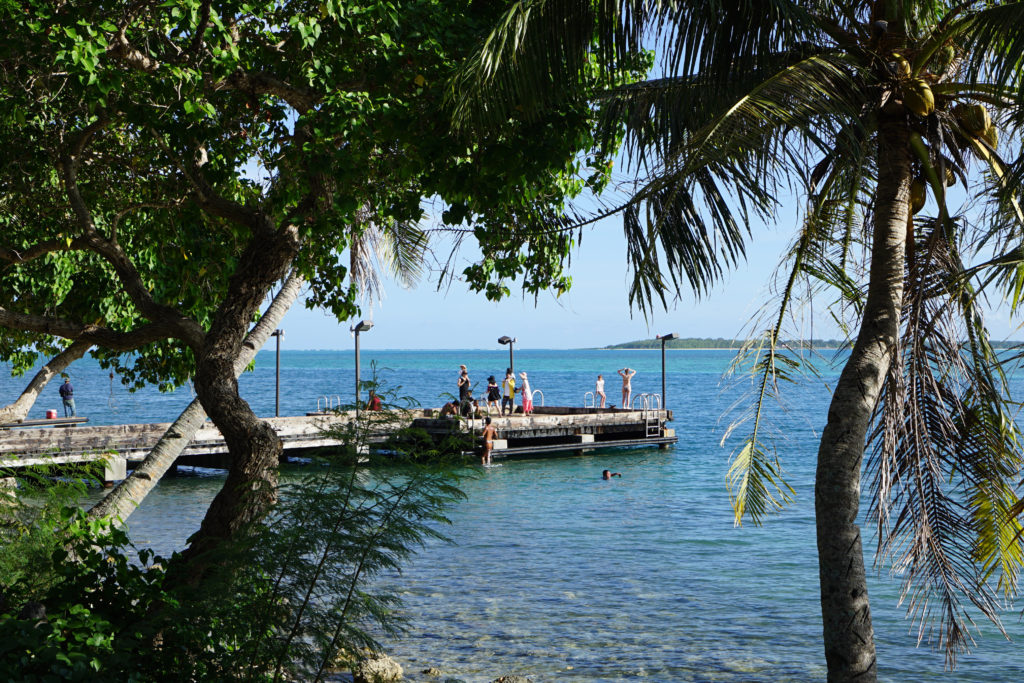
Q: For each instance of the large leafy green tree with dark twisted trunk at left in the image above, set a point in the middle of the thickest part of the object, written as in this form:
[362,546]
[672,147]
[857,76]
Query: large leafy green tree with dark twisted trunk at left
[166,164]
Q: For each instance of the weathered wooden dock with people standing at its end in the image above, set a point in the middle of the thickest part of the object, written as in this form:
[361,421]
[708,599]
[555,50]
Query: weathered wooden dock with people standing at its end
[548,431]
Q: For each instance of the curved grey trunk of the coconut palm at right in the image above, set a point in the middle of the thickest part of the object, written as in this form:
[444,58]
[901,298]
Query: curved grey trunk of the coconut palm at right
[849,639]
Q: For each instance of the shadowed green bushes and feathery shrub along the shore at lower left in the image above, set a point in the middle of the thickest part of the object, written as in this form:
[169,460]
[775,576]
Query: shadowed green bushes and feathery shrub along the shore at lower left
[297,595]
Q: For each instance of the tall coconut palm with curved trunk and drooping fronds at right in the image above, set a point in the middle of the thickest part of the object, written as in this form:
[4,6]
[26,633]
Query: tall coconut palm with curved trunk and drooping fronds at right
[872,111]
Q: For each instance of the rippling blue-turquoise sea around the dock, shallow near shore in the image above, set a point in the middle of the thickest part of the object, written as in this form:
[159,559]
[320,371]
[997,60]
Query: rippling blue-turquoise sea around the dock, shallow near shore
[558,575]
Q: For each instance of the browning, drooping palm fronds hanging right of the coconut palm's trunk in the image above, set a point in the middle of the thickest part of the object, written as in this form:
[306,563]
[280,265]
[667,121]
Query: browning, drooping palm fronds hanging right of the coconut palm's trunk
[944,454]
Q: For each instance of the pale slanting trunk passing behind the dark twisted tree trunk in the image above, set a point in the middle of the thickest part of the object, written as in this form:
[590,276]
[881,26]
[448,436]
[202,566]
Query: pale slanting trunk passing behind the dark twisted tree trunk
[127,496]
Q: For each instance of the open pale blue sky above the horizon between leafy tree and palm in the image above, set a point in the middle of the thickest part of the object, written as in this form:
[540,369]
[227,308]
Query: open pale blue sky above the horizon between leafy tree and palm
[594,313]
